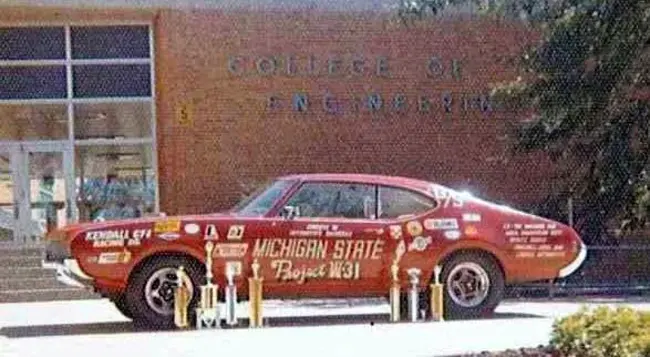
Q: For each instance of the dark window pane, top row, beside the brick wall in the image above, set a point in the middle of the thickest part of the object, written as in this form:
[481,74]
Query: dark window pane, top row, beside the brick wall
[110,42]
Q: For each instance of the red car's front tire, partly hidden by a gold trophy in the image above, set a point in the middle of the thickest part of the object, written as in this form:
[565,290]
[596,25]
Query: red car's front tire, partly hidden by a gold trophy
[155,312]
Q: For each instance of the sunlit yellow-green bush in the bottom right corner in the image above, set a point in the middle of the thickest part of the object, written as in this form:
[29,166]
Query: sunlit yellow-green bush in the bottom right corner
[603,332]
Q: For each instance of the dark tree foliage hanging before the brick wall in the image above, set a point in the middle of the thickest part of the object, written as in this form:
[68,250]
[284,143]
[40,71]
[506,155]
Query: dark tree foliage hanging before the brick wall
[584,83]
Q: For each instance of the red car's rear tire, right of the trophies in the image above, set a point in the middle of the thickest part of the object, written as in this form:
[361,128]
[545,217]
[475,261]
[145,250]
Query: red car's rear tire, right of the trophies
[484,269]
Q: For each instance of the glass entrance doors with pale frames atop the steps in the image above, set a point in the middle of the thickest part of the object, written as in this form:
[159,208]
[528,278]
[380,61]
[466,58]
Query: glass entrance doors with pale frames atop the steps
[40,176]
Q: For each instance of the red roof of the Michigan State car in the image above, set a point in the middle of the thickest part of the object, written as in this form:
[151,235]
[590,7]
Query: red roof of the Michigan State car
[365,178]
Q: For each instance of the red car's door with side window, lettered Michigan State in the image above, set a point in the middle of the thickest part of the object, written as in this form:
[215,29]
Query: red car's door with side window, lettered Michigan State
[333,245]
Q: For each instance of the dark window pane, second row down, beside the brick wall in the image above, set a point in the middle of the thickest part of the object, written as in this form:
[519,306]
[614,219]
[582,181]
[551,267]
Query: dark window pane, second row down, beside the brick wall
[133,80]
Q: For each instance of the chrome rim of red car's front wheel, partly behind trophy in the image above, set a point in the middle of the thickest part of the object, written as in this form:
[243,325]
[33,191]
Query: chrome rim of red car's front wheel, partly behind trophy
[159,290]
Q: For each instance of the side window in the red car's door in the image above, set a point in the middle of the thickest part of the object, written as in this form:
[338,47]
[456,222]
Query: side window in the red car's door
[347,200]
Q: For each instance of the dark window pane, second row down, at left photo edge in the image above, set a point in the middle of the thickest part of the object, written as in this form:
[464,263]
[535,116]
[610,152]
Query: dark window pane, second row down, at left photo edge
[32,82]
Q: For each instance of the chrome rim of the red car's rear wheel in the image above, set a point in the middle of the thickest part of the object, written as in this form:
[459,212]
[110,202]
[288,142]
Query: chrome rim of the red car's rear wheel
[468,284]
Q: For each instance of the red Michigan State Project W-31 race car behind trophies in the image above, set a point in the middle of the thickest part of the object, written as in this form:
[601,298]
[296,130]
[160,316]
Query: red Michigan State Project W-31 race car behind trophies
[322,235]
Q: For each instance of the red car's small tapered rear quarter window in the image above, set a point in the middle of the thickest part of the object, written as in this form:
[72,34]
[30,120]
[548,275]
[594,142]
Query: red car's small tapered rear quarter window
[397,202]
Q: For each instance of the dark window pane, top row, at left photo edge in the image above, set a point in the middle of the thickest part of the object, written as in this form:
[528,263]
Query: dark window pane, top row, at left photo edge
[30,43]
